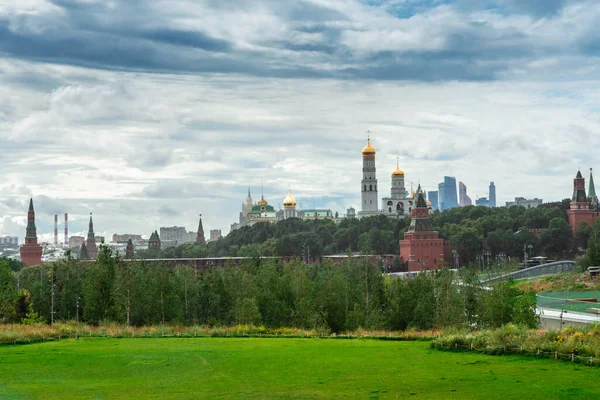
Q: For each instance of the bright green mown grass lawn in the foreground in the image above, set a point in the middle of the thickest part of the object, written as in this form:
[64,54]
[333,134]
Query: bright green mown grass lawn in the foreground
[218,368]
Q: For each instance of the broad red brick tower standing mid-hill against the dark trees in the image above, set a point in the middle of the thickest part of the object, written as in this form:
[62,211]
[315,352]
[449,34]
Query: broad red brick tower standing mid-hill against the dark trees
[421,247]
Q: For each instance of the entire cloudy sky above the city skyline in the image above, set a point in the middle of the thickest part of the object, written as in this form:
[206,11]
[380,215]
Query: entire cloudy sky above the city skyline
[149,112]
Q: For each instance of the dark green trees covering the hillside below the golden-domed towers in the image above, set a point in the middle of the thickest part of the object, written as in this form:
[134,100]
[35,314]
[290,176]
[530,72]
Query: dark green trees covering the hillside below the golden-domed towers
[470,230]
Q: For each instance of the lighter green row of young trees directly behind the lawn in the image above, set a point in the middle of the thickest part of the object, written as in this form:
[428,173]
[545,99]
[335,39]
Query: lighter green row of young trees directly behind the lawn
[339,297]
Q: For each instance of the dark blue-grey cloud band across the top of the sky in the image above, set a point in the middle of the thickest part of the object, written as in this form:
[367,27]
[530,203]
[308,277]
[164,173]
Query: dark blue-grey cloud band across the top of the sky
[298,40]
